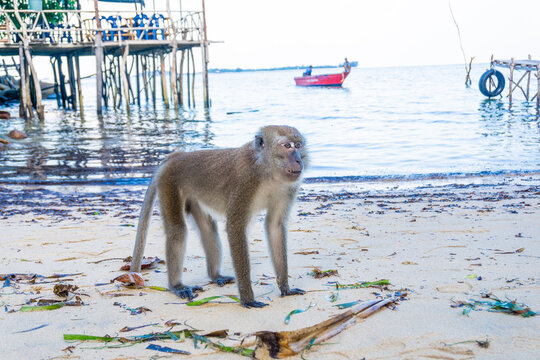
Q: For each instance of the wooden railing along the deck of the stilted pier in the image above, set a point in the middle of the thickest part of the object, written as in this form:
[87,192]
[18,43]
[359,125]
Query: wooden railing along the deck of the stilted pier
[80,27]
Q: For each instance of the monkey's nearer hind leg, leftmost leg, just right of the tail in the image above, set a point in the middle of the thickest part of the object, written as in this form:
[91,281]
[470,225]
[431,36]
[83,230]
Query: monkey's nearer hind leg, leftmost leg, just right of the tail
[172,211]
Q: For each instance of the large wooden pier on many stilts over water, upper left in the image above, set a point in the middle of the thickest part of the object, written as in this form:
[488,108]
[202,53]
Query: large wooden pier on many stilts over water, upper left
[131,48]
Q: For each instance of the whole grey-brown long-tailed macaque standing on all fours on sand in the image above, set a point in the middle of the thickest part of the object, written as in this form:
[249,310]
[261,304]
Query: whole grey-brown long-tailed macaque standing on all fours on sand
[264,174]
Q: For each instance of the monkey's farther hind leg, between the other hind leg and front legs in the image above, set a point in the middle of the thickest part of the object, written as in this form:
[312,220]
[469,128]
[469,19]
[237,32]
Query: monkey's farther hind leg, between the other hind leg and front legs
[210,241]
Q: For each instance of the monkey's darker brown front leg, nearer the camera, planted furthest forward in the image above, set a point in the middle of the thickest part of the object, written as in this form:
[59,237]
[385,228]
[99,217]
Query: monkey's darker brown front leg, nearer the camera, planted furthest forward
[236,231]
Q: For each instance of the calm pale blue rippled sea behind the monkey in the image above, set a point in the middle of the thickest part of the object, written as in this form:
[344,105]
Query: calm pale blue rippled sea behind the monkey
[402,122]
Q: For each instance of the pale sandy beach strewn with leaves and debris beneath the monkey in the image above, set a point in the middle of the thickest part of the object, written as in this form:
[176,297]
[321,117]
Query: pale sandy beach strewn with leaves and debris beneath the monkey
[439,241]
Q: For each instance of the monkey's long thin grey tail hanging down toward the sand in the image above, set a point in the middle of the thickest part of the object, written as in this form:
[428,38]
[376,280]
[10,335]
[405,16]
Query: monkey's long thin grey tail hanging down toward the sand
[142,227]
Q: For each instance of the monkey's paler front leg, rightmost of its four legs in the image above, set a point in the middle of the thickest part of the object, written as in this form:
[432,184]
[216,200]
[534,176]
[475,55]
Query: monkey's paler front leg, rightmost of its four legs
[276,233]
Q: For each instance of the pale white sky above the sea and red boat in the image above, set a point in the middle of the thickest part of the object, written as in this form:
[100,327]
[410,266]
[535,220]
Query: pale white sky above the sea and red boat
[258,34]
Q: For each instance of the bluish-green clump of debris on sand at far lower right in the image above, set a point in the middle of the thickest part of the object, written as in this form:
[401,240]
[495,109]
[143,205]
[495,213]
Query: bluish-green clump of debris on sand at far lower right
[494,304]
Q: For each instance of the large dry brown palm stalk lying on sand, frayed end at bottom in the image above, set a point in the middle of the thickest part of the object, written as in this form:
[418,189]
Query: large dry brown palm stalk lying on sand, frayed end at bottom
[287,343]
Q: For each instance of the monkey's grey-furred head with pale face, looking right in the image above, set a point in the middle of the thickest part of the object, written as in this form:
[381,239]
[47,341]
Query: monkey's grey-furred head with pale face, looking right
[282,151]
